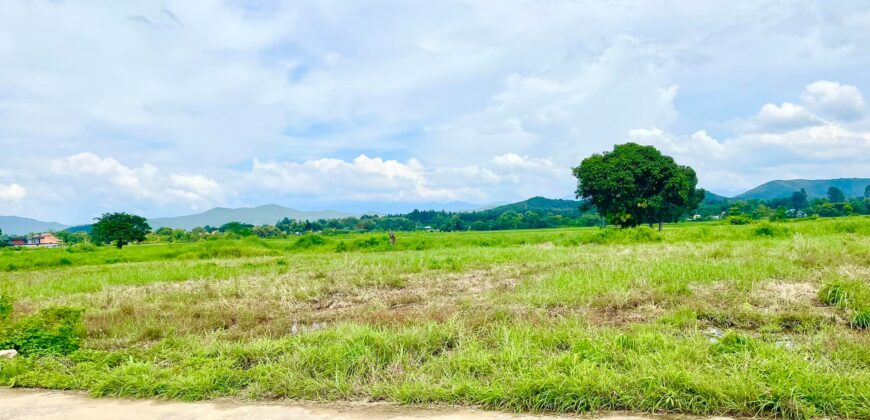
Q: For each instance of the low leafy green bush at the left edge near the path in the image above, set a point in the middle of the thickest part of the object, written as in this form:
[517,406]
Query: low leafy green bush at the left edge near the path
[51,331]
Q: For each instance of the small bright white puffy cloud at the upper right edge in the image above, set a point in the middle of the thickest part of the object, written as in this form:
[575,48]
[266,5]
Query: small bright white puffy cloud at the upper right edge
[834,100]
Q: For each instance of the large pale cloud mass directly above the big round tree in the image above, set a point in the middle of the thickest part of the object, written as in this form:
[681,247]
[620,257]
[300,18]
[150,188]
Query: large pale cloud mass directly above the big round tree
[560,111]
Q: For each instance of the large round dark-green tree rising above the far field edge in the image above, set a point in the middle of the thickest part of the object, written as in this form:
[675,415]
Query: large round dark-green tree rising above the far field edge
[635,184]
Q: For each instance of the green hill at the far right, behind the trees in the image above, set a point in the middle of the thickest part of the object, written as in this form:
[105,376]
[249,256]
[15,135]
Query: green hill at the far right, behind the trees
[852,187]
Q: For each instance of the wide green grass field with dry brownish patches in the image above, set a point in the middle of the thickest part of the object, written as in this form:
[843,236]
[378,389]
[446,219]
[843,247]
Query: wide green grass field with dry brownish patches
[763,319]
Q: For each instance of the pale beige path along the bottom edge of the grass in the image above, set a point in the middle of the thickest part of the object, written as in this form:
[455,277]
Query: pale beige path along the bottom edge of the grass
[30,404]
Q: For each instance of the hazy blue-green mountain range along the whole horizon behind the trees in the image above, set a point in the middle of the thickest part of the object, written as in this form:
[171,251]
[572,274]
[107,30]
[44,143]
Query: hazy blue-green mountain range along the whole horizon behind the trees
[271,213]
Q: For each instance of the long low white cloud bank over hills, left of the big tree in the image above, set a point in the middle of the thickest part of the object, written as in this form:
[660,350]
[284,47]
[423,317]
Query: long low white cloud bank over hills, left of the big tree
[375,179]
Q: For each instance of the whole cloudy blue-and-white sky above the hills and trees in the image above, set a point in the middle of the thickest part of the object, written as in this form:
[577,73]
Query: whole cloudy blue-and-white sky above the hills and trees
[170,107]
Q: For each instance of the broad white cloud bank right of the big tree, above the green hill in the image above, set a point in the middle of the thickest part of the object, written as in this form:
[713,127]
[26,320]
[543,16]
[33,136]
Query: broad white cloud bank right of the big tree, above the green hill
[780,142]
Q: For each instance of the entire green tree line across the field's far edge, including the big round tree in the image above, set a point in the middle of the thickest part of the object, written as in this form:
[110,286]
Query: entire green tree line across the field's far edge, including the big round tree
[629,186]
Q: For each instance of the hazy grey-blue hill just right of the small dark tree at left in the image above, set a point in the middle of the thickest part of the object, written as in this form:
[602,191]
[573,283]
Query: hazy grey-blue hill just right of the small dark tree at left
[262,215]
